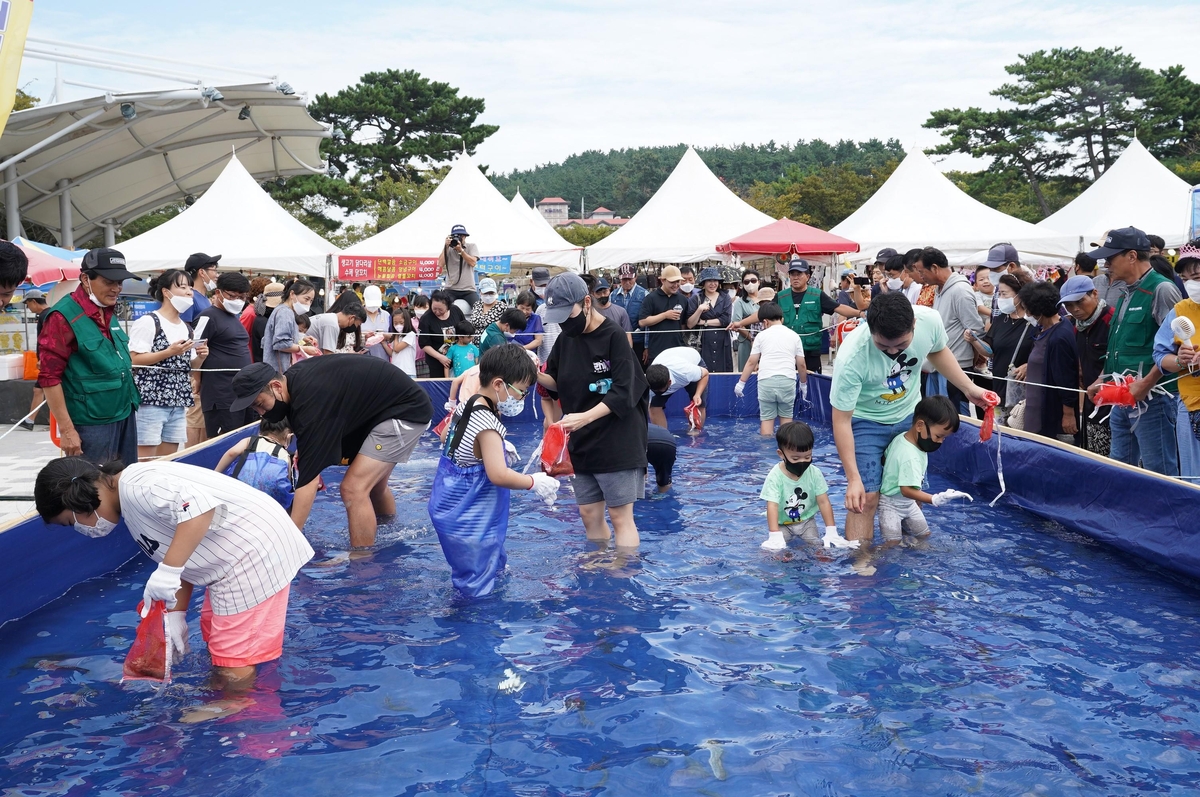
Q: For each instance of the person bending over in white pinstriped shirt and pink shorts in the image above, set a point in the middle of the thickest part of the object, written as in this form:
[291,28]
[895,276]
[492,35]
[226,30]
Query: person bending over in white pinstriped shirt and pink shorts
[203,529]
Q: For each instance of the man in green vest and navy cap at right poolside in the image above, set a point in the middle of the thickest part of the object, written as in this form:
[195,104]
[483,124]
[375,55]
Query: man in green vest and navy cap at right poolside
[1142,435]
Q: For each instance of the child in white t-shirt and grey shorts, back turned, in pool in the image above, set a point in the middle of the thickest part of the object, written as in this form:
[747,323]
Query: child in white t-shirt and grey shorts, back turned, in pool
[779,356]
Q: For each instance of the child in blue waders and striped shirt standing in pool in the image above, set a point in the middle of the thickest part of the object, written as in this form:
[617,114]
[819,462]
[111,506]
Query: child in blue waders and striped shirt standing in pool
[470,500]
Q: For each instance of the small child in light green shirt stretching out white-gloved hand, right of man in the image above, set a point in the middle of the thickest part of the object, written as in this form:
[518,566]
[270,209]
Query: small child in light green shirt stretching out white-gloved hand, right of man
[904,471]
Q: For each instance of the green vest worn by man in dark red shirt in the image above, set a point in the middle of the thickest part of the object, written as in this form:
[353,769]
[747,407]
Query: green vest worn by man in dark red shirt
[98,383]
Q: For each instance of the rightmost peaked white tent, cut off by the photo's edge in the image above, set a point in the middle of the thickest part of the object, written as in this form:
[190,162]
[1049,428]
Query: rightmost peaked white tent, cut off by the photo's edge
[1136,191]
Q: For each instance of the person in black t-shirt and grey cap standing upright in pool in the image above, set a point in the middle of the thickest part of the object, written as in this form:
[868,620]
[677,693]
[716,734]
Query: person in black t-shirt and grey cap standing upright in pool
[603,392]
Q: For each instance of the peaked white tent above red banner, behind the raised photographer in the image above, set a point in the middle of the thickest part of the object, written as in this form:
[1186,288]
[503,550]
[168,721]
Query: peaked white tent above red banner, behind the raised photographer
[495,225]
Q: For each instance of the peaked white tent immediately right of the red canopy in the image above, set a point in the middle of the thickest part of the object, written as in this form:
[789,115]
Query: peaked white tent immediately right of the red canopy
[920,207]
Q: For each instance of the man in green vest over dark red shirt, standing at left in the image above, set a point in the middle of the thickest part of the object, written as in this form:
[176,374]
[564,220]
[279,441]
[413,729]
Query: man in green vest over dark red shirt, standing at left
[86,368]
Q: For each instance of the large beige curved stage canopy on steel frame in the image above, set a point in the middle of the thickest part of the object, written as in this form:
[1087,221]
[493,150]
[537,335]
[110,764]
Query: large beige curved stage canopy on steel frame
[98,164]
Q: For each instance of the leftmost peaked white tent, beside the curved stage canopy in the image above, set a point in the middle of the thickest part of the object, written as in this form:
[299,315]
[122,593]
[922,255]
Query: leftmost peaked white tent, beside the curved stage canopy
[239,221]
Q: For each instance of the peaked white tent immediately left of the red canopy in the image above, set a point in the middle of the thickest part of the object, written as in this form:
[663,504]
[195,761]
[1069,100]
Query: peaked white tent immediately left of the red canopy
[683,223]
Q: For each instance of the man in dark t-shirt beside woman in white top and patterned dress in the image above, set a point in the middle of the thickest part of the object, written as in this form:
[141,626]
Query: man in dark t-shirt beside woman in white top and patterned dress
[229,349]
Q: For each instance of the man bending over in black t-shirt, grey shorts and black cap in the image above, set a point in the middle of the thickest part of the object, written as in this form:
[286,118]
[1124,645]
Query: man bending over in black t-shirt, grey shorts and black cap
[340,408]
